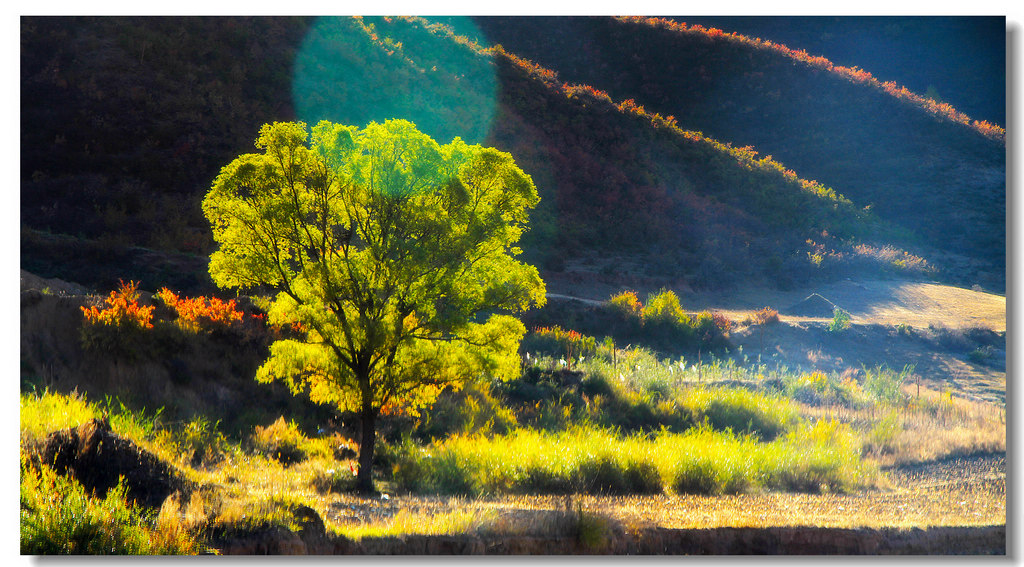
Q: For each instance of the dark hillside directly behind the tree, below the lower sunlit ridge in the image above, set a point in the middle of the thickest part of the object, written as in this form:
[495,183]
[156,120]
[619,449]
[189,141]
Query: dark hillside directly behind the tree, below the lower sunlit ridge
[126,122]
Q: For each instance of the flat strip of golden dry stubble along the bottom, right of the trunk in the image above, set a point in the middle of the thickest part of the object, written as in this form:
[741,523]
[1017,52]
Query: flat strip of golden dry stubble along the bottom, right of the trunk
[944,505]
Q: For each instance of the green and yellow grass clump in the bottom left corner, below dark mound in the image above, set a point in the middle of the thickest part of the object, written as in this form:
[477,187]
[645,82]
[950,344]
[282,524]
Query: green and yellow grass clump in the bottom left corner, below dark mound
[58,517]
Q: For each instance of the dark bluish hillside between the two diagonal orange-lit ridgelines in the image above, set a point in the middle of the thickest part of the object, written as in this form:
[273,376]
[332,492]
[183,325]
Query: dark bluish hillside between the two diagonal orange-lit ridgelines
[936,178]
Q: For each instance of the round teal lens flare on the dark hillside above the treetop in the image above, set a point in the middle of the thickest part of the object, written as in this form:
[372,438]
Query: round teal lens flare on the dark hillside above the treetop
[361,70]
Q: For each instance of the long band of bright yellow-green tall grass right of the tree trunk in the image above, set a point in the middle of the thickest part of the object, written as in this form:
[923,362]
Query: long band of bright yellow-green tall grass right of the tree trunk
[821,457]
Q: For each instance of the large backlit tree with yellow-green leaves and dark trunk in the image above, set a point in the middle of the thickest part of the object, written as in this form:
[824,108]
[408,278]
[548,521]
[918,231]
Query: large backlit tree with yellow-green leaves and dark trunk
[394,256]
